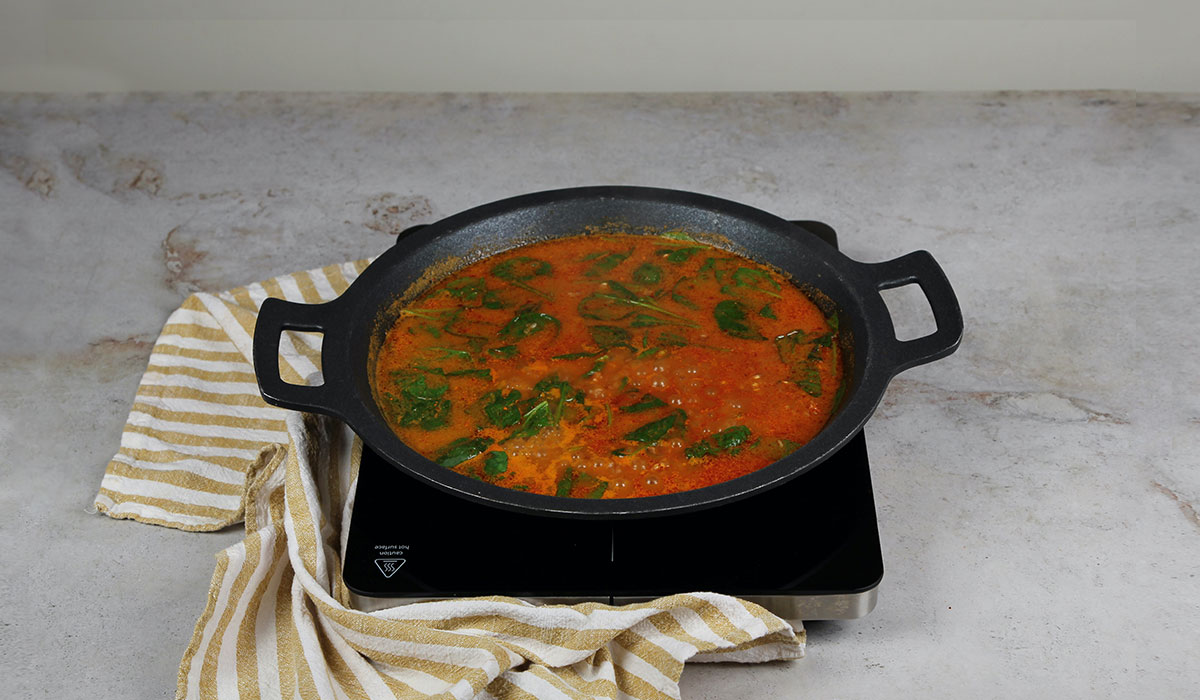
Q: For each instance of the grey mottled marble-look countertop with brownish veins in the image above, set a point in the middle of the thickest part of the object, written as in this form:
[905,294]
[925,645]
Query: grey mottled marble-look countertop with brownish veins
[1037,492]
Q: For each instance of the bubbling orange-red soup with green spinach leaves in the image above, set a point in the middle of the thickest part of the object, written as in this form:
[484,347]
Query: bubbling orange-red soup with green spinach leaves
[610,367]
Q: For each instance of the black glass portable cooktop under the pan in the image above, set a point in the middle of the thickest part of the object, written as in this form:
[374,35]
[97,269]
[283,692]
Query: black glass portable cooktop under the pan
[808,549]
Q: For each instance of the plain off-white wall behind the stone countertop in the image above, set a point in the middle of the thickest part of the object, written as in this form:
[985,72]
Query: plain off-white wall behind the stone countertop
[608,46]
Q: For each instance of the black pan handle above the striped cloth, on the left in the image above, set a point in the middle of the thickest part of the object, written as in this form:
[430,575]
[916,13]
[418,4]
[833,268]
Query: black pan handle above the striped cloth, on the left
[274,319]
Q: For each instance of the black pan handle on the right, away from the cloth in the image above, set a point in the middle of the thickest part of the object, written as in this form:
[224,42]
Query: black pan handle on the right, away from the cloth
[920,267]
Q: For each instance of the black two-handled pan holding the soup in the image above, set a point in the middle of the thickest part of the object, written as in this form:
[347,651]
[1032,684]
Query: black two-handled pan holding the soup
[355,325]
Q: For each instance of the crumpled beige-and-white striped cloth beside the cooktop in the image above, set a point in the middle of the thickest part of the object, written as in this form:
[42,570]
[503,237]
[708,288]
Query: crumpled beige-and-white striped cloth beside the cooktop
[202,452]
